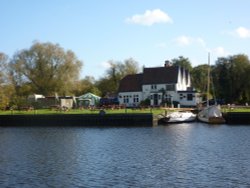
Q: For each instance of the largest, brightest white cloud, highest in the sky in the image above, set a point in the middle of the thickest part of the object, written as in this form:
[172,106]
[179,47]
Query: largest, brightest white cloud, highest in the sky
[150,17]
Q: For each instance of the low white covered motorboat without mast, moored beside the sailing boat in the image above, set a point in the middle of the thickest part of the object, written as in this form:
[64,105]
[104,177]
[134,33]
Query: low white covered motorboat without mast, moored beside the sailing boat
[178,117]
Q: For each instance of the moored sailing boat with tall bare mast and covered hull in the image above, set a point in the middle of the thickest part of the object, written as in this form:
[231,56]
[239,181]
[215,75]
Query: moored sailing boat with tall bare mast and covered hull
[210,114]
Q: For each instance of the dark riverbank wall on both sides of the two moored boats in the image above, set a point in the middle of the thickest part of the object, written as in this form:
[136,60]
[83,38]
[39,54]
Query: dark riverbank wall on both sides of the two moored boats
[102,120]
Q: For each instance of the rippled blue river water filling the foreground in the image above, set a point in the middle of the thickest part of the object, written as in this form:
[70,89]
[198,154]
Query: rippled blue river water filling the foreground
[183,155]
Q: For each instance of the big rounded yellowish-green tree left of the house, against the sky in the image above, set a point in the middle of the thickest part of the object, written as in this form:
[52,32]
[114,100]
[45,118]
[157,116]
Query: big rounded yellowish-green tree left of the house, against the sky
[47,67]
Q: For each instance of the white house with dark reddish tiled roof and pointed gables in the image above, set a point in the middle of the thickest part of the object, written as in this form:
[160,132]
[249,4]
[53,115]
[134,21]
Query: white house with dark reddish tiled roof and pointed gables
[158,84]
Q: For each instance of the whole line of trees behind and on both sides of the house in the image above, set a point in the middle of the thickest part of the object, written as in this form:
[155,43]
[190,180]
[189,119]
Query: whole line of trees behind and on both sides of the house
[47,68]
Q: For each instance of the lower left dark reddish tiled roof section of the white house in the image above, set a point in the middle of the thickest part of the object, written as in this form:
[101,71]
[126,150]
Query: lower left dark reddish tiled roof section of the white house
[131,83]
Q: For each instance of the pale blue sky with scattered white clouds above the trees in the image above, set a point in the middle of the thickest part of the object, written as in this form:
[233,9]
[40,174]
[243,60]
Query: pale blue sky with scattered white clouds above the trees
[149,31]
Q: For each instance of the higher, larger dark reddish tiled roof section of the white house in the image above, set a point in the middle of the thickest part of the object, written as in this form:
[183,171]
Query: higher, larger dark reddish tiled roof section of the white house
[160,75]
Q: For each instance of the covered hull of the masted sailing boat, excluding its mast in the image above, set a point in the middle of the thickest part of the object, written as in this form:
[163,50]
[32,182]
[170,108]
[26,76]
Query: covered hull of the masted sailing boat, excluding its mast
[211,114]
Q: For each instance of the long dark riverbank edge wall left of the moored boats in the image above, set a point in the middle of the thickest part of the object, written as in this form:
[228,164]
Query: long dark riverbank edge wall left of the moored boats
[85,120]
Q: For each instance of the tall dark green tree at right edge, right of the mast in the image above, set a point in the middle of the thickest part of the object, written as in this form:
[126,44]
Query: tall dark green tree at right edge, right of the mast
[232,75]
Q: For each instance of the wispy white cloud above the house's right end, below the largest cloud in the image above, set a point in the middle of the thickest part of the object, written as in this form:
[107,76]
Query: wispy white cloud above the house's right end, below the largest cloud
[186,41]
